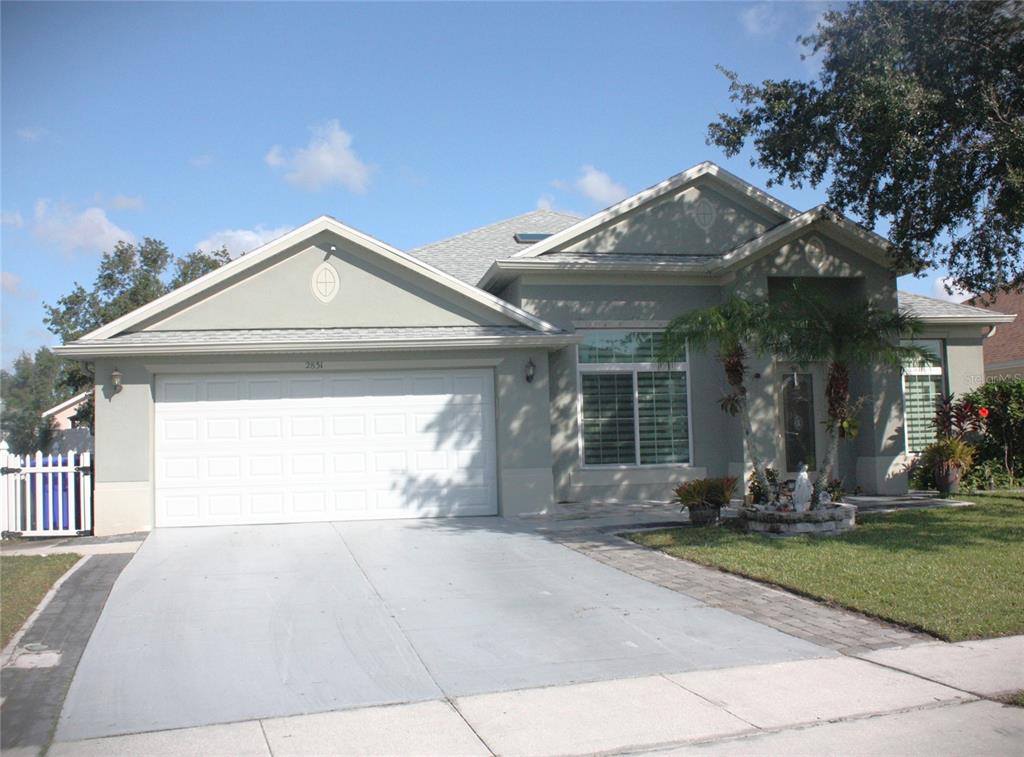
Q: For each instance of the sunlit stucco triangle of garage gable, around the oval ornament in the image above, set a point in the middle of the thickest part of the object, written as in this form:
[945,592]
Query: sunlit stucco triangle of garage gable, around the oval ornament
[373,292]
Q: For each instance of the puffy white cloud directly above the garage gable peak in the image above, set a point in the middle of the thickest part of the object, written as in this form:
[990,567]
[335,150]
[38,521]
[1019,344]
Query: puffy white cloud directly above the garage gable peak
[328,159]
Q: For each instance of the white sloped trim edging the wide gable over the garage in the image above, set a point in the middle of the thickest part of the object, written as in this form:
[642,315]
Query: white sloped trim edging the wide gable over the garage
[194,290]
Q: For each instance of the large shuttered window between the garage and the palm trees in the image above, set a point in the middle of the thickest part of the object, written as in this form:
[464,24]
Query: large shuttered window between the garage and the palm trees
[633,411]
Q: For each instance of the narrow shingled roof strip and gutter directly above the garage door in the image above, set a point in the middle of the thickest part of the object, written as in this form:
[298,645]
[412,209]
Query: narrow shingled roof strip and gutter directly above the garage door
[300,341]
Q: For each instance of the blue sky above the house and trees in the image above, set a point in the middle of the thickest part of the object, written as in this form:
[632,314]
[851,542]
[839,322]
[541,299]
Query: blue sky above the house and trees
[206,123]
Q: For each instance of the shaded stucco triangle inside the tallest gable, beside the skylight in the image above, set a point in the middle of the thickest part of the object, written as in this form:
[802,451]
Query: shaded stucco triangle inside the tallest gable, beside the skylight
[669,226]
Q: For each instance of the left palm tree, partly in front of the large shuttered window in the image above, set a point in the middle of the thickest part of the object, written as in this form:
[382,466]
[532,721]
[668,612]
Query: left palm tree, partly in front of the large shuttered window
[737,327]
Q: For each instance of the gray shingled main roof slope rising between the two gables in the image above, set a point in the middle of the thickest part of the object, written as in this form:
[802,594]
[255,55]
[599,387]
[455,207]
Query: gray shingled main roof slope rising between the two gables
[468,256]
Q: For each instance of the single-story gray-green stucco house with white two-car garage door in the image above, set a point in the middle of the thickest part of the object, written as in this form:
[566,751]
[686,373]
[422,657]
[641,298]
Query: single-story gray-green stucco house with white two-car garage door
[329,376]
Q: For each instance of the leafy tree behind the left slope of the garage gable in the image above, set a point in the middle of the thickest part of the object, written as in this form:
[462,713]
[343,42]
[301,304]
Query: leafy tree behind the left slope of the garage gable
[130,277]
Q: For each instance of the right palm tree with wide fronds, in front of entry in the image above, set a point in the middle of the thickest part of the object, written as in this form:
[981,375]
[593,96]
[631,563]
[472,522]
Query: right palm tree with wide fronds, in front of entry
[808,327]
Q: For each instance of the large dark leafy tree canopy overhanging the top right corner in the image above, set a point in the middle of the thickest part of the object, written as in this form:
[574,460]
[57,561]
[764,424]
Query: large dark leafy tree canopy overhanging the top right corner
[917,117]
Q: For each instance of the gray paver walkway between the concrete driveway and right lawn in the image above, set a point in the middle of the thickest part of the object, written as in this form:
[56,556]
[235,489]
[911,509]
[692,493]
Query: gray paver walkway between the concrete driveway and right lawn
[845,632]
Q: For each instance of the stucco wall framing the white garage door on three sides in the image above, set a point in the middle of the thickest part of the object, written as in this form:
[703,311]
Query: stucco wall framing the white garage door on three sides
[125,424]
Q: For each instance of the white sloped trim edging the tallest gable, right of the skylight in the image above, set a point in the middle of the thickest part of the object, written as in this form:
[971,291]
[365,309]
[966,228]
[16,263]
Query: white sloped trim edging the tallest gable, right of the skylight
[674,184]
